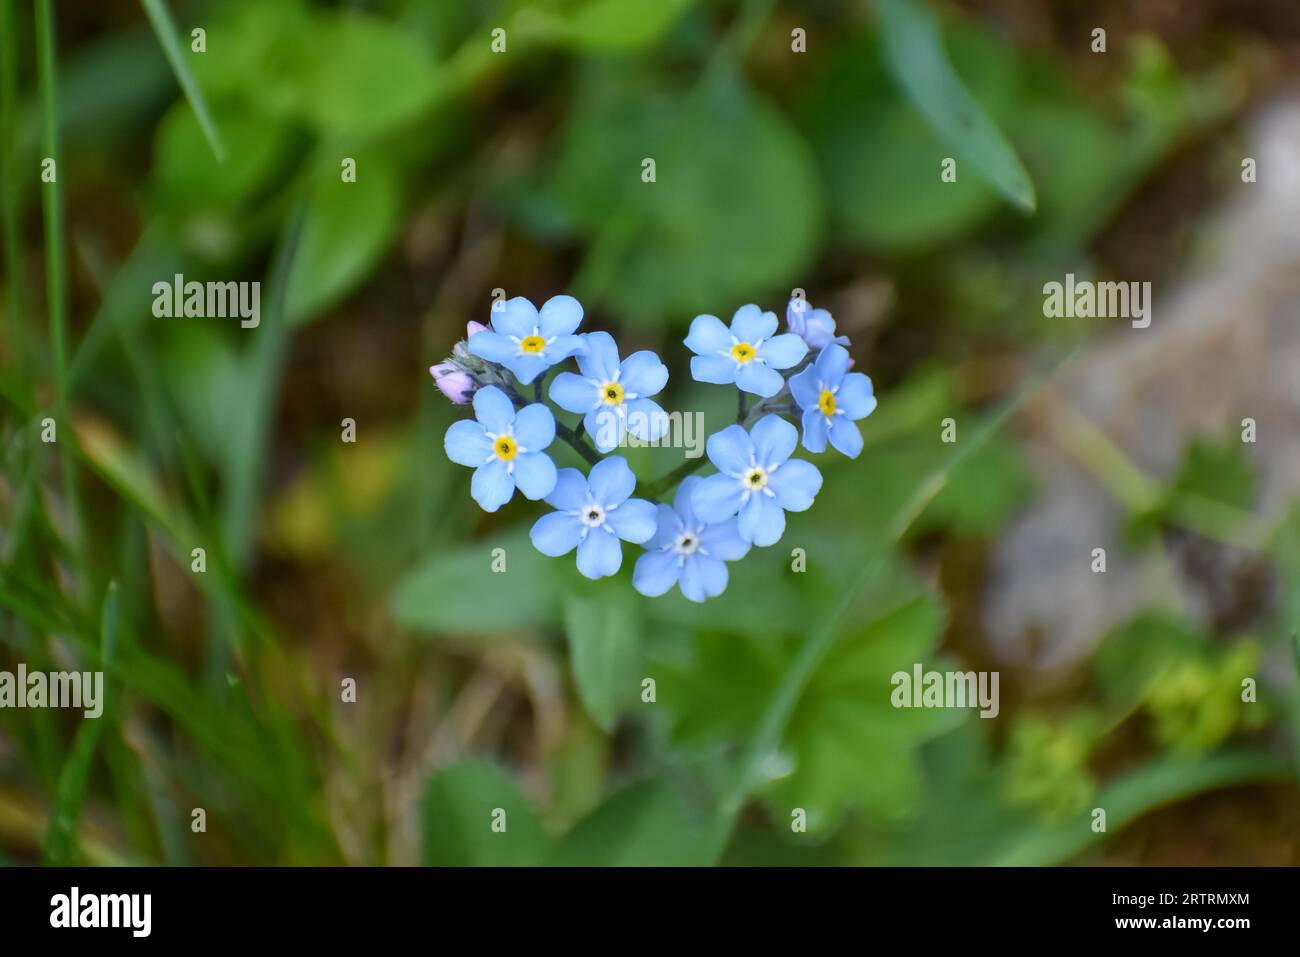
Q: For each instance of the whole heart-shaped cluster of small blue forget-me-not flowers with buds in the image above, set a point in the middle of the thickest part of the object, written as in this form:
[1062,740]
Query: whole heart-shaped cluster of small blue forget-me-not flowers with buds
[804,373]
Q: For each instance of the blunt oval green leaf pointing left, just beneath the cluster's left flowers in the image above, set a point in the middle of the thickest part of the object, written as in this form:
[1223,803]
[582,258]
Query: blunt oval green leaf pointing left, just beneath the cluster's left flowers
[457,591]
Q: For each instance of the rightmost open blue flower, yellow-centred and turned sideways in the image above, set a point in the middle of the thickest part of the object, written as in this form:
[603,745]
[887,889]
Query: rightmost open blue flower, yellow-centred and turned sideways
[833,399]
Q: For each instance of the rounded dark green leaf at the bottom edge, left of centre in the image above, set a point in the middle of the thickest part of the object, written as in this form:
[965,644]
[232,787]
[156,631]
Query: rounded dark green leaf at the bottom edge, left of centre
[457,815]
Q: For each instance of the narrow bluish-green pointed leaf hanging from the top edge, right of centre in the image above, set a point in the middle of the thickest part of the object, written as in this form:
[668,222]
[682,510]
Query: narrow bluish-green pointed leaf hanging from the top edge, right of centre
[915,51]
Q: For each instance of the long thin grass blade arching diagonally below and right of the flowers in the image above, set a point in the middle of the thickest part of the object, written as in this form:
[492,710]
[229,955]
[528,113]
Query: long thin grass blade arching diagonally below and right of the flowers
[781,707]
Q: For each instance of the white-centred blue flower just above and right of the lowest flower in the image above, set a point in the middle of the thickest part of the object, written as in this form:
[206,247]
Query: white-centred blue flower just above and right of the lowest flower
[757,480]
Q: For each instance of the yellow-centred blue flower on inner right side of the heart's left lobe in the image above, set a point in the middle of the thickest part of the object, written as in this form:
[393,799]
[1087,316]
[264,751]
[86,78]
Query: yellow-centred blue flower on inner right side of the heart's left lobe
[612,395]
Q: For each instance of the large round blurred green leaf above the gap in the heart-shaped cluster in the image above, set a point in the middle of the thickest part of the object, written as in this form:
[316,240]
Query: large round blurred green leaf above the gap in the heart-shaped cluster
[734,213]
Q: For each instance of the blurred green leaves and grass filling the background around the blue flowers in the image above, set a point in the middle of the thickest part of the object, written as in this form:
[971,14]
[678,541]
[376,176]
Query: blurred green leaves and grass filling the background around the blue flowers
[526,691]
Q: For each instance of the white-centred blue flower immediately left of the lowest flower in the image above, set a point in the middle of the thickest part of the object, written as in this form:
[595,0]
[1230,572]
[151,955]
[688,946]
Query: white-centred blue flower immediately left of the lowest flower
[593,516]
